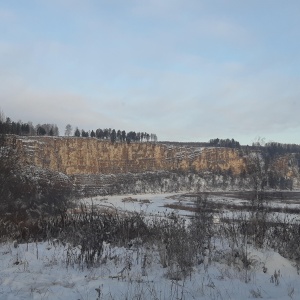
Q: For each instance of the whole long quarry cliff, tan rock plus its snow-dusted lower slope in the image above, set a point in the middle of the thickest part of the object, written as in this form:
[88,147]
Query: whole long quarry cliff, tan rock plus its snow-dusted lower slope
[101,167]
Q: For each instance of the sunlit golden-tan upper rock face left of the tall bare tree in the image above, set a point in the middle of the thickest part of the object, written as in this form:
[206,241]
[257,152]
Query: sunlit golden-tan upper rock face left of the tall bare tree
[74,156]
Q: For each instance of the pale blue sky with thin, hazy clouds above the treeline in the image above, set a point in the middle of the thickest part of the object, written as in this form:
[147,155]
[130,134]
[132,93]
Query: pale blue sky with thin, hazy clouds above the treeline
[186,70]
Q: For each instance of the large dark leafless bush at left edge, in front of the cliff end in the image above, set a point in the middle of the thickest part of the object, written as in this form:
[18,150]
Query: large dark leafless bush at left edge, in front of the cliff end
[28,192]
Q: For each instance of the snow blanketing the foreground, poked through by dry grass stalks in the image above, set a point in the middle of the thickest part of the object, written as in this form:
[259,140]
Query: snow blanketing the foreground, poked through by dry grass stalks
[42,273]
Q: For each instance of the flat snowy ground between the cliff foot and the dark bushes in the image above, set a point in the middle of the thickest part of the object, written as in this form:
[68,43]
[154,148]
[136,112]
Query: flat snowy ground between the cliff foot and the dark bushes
[157,204]
